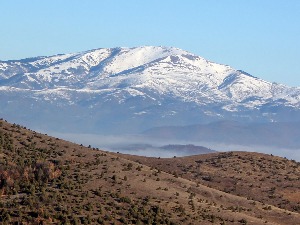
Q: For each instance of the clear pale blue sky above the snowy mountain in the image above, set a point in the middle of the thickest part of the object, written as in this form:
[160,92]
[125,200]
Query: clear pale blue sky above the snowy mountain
[261,37]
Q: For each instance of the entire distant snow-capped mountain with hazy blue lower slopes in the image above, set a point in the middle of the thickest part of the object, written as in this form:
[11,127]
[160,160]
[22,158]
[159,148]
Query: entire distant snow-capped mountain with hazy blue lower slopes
[133,89]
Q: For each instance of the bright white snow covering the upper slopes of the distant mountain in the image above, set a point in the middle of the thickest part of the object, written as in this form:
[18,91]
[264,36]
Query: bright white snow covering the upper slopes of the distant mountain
[147,69]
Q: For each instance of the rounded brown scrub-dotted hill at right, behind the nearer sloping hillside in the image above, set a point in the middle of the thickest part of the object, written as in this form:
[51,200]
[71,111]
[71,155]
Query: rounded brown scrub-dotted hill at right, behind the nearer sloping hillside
[266,178]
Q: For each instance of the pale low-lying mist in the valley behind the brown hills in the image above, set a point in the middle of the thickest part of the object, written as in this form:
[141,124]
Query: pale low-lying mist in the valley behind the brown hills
[140,145]
